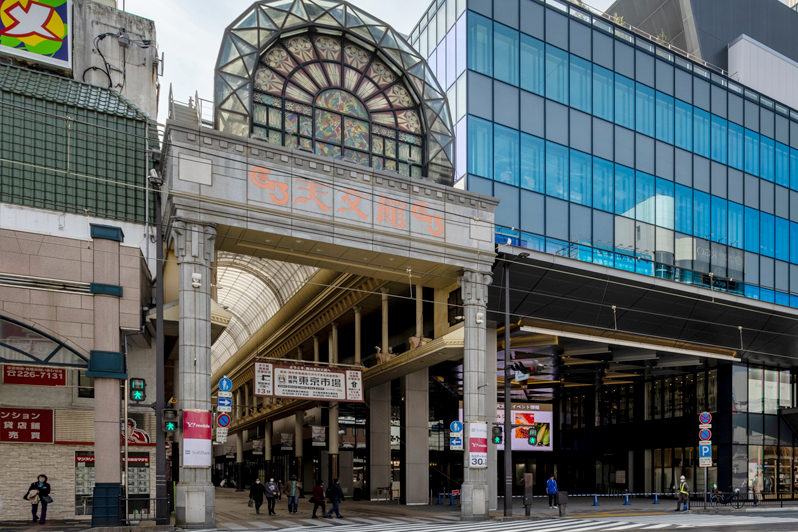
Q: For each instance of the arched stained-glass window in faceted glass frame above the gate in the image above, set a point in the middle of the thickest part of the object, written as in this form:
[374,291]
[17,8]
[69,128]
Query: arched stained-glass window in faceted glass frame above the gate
[324,76]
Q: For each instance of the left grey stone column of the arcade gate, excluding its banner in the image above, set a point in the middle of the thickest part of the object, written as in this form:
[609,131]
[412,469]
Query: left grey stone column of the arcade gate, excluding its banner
[194,247]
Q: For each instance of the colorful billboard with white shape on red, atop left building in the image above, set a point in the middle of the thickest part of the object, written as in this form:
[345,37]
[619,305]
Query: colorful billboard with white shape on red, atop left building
[37,30]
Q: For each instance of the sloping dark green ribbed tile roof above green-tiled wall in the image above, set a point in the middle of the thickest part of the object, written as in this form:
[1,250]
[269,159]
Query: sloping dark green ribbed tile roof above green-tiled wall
[54,88]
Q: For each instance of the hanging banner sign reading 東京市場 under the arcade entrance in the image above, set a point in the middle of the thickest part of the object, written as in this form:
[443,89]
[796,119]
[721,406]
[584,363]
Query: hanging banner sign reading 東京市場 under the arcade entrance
[299,381]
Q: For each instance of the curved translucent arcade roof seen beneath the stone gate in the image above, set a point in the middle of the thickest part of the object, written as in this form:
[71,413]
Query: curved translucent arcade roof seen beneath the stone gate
[252,290]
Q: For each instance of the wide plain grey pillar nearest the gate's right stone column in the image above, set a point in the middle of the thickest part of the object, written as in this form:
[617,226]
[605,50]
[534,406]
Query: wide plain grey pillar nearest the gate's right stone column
[415,438]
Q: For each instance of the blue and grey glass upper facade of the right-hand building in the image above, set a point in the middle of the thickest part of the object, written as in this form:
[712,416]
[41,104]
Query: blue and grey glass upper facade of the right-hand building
[608,149]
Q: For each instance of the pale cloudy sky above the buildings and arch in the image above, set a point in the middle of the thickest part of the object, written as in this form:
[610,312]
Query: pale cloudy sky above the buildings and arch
[189,33]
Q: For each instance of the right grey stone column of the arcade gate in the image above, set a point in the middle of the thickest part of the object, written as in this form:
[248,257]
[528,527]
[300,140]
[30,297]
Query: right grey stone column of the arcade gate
[475,298]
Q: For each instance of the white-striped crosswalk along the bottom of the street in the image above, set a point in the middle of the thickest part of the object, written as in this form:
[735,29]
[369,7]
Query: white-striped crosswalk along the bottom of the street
[451,524]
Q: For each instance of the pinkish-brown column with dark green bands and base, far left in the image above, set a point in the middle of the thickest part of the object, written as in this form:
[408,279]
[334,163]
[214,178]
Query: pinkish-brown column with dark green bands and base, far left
[107,393]
